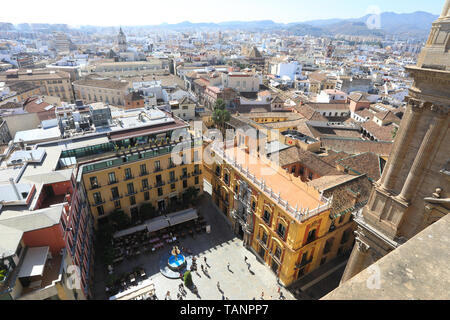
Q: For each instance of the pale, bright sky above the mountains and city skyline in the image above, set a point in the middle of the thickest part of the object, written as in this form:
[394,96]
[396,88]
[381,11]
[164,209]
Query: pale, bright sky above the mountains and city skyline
[151,12]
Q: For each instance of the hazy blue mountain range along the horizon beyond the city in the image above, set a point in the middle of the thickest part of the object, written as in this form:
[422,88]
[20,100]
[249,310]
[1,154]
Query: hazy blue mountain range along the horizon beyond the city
[416,24]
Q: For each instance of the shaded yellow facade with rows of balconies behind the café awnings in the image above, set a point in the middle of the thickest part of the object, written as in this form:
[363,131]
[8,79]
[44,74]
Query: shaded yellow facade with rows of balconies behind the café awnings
[150,176]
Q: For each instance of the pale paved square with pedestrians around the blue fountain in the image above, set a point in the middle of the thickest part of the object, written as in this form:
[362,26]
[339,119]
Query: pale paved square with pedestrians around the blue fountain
[220,247]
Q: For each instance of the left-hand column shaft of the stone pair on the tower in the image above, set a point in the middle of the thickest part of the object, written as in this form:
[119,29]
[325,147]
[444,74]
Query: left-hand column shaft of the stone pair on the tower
[401,143]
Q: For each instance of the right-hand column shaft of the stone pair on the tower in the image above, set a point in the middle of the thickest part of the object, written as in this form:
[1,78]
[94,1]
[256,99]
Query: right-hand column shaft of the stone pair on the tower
[424,153]
